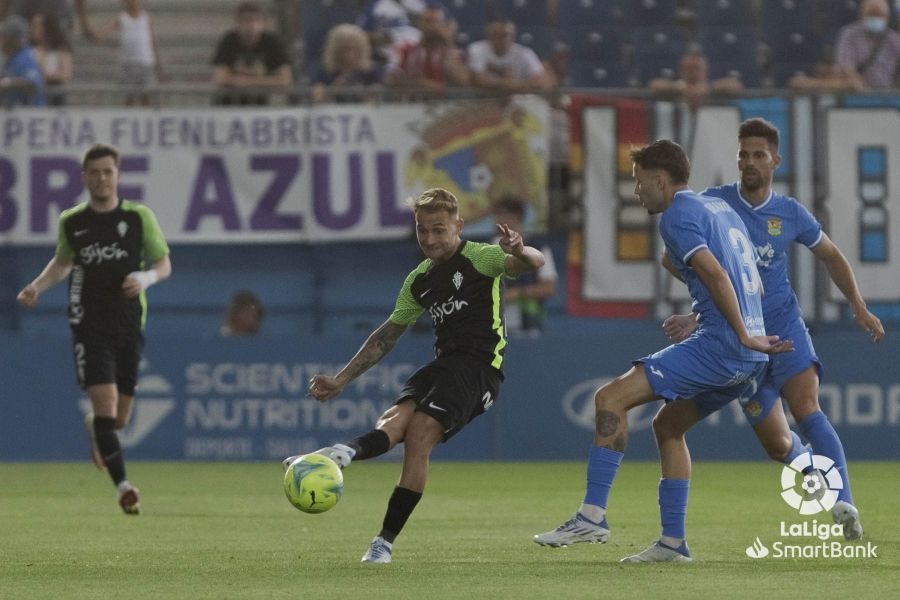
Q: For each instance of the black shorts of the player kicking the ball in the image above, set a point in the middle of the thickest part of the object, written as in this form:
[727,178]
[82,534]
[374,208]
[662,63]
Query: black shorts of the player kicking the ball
[453,389]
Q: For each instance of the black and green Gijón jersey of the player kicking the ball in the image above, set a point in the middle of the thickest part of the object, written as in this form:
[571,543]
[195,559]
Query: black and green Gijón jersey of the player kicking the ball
[463,296]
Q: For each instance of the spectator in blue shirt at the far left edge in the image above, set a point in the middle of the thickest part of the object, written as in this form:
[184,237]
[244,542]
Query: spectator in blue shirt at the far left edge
[21,81]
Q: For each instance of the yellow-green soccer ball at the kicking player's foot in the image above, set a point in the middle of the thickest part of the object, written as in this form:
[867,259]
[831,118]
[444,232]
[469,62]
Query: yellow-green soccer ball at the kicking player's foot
[313,483]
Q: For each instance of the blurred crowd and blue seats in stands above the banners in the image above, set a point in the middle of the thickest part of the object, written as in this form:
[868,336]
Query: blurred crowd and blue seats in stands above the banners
[352,49]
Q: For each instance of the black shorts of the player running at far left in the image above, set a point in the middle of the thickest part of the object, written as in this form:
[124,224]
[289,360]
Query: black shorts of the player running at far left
[106,357]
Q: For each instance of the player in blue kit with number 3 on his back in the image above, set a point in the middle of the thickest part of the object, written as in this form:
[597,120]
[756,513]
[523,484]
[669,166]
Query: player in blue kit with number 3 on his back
[709,246]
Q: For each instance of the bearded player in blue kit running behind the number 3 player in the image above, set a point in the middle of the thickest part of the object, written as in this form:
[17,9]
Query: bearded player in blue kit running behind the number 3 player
[775,222]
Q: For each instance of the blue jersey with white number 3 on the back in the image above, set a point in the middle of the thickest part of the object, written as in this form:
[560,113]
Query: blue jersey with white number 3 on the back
[694,222]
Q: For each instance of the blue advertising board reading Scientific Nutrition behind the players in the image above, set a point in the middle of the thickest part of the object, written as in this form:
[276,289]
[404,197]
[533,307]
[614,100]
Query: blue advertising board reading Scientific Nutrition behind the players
[245,399]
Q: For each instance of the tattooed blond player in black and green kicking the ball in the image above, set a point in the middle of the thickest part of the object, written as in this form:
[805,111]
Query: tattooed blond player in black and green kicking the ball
[460,284]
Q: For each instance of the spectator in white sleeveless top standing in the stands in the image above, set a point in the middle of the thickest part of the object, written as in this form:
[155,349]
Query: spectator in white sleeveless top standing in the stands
[139,64]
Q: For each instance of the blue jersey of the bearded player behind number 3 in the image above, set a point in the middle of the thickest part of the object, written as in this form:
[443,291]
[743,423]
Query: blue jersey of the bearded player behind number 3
[774,226]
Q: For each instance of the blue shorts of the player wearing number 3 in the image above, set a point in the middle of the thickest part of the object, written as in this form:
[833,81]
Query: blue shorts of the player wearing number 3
[692,370]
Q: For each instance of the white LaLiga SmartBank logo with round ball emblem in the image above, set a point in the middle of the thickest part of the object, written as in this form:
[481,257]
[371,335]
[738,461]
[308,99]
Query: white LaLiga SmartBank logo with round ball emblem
[810,485]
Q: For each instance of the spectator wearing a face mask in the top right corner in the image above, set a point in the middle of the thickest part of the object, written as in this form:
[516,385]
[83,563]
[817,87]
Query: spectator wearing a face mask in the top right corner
[868,50]
